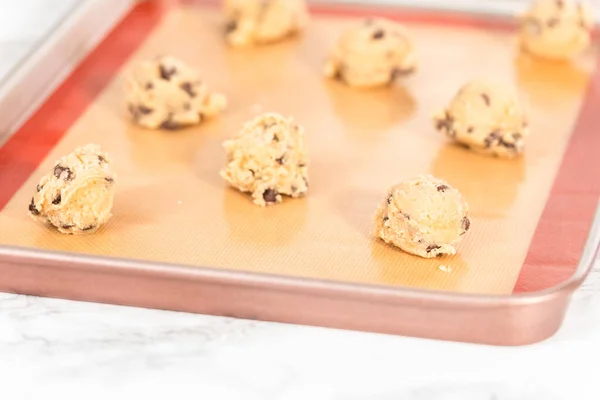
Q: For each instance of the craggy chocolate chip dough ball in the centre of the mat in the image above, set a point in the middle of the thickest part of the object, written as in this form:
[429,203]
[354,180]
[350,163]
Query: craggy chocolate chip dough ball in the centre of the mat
[268,159]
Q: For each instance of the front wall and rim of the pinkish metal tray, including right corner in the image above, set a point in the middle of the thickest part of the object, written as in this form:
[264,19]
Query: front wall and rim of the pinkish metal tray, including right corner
[486,319]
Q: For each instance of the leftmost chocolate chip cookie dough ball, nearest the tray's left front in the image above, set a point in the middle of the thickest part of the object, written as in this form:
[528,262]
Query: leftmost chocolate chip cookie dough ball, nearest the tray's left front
[77,195]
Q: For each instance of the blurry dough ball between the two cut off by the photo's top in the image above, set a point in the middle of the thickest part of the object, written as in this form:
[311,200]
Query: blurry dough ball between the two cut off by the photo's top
[374,53]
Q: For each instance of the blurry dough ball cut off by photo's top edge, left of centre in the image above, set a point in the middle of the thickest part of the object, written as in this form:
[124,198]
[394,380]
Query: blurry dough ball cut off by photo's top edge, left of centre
[263,21]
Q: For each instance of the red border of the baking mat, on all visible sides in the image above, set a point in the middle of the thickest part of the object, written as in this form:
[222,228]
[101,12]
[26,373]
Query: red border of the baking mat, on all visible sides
[562,230]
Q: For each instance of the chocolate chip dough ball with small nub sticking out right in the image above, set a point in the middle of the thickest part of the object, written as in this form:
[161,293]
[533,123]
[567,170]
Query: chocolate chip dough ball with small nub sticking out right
[165,93]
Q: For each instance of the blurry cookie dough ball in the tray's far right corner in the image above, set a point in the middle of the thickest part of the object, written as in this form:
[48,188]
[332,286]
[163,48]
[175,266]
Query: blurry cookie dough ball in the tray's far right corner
[556,29]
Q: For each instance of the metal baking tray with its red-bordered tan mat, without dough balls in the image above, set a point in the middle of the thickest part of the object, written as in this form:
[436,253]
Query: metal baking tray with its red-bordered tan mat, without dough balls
[180,239]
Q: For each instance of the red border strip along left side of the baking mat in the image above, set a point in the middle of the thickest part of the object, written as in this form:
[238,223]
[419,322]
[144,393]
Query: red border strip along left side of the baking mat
[29,146]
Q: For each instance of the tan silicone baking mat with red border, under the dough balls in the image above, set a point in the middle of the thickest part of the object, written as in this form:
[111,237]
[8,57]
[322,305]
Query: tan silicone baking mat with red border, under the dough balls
[530,216]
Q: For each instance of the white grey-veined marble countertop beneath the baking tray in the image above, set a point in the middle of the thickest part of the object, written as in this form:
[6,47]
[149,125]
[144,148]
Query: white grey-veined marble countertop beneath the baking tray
[71,350]
